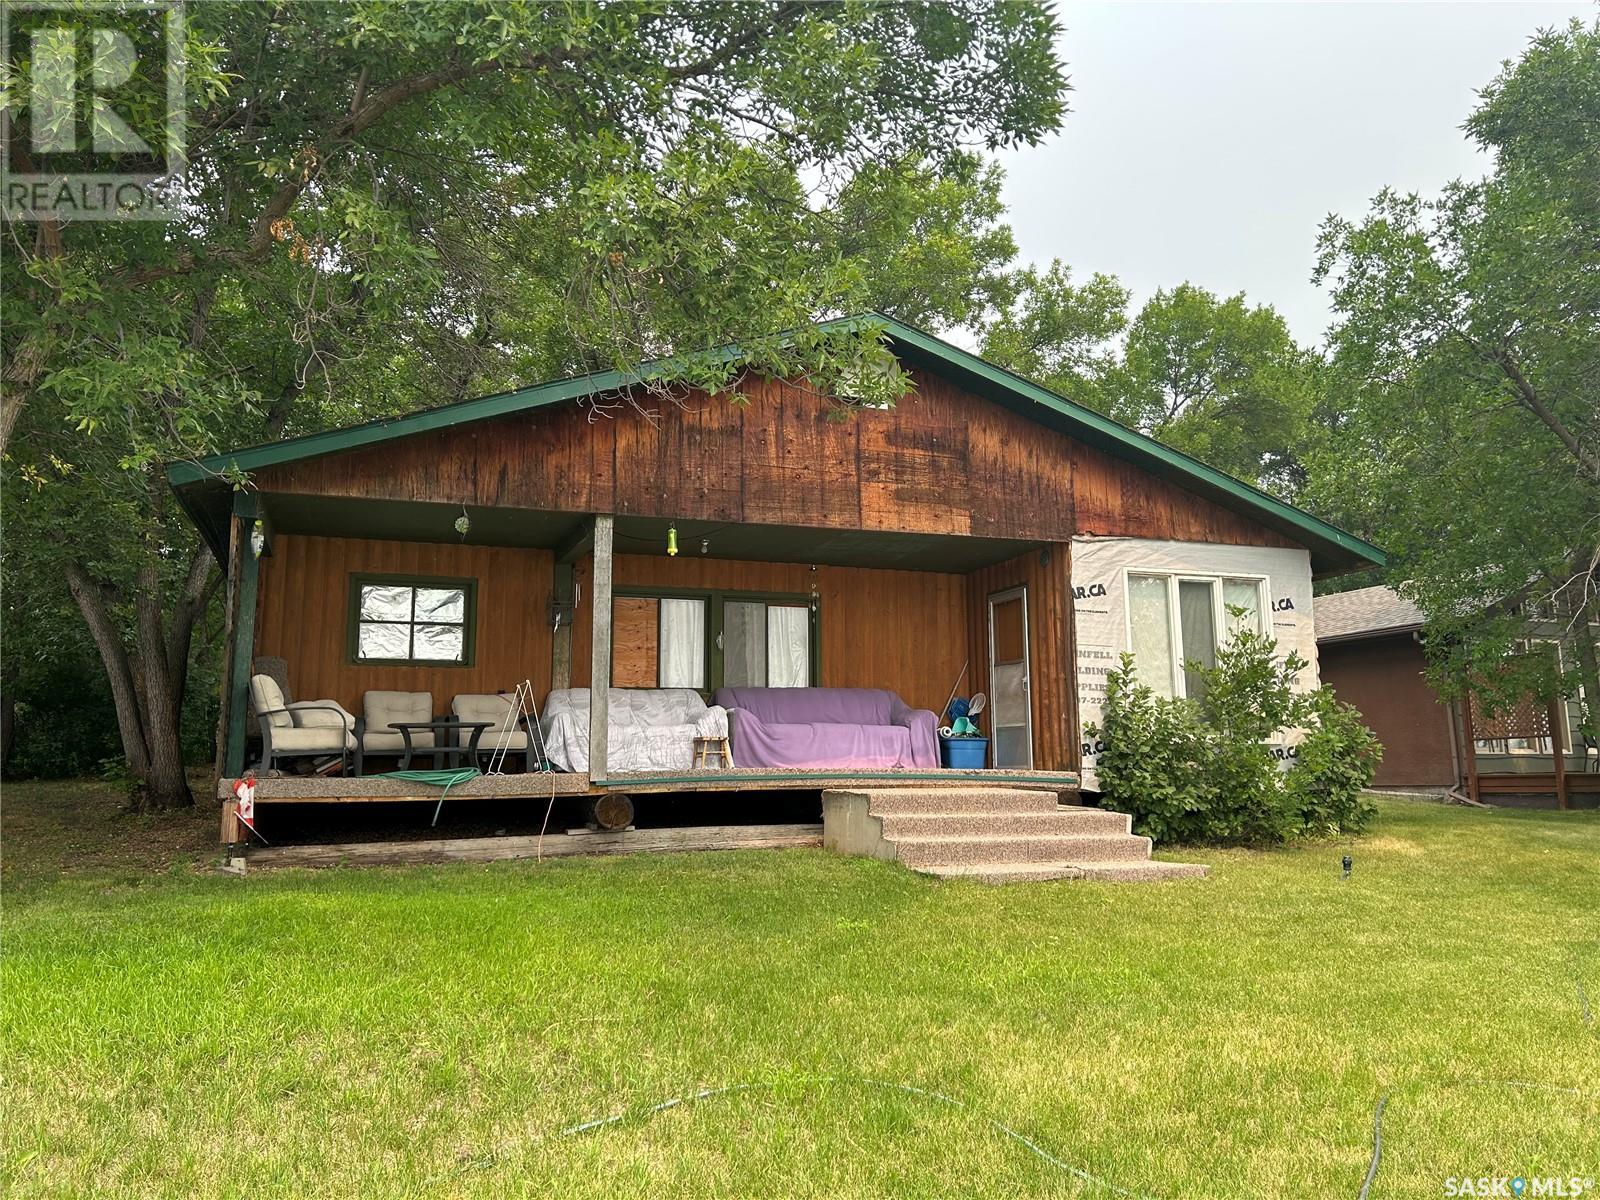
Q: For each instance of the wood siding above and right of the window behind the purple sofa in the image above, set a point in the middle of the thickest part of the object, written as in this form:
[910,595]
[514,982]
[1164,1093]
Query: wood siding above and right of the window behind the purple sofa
[905,631]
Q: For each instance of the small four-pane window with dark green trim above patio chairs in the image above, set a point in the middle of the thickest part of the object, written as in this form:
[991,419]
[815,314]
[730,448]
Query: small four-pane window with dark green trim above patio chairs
[412,620]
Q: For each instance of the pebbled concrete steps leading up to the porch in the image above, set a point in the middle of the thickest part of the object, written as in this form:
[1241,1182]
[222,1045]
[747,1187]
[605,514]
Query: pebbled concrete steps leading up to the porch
[991,834]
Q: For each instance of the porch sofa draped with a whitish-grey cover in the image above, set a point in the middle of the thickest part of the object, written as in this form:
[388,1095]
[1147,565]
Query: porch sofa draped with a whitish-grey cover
[650,729]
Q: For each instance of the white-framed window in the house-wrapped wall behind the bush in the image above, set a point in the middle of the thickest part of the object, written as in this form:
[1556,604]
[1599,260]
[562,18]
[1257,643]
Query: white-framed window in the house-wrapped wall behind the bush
[1178,618]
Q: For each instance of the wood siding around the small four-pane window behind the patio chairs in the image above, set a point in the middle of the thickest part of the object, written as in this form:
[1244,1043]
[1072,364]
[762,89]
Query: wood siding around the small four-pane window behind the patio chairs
[303,617]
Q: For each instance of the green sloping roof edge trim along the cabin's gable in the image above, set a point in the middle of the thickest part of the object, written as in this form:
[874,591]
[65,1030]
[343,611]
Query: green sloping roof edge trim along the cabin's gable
[1332,548]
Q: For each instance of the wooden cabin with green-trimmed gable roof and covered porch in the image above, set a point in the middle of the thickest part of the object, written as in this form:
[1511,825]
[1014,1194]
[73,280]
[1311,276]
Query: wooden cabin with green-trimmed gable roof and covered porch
[961,542]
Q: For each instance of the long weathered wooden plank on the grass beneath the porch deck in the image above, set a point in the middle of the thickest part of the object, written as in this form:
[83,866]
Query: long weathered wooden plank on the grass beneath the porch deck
[503,849]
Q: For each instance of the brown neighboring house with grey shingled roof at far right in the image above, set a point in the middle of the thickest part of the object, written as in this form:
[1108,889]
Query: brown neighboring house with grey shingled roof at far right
[1370,652]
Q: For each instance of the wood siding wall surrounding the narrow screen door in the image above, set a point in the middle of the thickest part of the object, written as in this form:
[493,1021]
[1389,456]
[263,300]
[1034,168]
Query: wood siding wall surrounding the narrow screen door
[1050,647]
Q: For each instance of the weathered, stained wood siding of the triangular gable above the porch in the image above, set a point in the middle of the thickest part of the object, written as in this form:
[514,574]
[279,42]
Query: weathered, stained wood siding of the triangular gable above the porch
[942,462]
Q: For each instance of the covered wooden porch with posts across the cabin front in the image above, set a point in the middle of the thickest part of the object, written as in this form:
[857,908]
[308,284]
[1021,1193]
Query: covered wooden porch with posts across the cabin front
[577,601]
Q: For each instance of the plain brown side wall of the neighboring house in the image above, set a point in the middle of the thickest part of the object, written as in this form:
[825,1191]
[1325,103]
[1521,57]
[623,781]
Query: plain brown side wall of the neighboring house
[1383,678]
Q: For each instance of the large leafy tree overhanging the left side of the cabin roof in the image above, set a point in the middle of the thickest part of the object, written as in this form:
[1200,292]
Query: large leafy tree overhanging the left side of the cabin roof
[394,206]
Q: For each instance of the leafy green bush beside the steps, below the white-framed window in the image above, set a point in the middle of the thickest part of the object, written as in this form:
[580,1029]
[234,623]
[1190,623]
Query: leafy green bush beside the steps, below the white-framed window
[1206,772]
